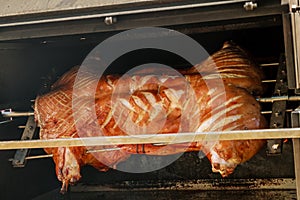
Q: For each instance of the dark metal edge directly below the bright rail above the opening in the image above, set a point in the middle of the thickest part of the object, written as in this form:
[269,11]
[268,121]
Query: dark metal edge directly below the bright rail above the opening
[124,22]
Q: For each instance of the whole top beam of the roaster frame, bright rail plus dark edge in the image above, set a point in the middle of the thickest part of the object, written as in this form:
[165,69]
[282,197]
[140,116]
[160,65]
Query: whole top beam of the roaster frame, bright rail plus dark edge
[133,18]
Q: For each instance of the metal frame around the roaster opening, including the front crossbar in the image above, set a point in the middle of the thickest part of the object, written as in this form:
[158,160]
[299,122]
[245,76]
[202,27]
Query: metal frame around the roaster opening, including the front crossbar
[36,25]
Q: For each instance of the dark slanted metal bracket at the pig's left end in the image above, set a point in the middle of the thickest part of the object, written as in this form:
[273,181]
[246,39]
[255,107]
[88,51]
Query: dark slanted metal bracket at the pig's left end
[28,133]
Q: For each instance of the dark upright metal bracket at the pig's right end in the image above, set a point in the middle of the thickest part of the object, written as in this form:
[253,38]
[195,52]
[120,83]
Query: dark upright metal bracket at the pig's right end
[274,147]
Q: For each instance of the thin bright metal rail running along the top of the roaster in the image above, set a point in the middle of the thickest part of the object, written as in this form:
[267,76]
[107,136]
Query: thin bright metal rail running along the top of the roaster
[127,12]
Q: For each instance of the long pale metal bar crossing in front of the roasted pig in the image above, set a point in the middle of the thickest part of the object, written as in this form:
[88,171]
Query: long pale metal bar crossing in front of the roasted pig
[172,138]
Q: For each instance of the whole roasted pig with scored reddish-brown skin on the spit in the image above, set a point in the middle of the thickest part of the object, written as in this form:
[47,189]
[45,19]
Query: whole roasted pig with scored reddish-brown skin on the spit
[215,95]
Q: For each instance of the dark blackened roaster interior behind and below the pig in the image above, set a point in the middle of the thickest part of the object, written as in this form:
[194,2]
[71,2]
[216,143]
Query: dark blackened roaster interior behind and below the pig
[27,64]
